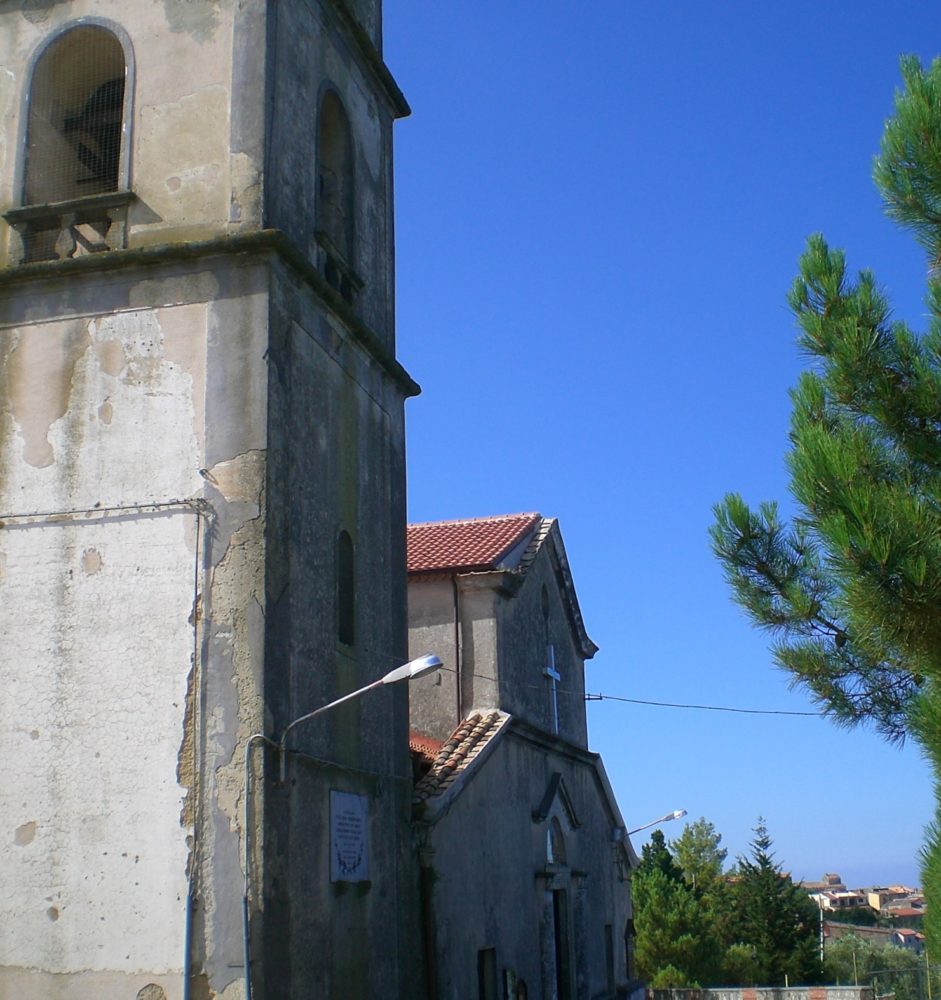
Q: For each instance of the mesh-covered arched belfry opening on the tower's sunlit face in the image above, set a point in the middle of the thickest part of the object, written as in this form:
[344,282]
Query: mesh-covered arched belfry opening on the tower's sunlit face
[76,109]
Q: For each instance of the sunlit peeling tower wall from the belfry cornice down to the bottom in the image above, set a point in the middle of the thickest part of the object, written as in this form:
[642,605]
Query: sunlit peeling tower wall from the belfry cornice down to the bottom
[157,396]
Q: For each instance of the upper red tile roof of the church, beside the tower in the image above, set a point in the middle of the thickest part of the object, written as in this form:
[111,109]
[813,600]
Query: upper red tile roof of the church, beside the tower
[476,543]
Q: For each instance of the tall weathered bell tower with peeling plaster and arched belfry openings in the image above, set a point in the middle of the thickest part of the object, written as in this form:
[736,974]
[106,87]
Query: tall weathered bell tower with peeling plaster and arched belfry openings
[202,506]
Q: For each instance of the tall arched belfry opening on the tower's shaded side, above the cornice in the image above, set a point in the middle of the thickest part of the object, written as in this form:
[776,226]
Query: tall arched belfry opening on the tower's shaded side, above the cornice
[335,196]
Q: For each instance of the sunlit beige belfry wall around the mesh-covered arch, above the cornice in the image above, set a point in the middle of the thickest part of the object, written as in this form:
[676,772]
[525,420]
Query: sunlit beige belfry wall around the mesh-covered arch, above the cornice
[196,136]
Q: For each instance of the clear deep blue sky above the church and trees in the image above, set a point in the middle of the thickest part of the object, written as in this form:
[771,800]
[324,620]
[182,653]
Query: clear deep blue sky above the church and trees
[600,208]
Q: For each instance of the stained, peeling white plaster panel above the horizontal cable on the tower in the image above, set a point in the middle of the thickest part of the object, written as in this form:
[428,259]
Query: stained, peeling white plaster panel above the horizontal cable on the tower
[126,419]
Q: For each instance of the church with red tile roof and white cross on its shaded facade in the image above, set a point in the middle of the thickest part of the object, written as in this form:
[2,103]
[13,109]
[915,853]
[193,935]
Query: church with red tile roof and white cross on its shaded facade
[525,859]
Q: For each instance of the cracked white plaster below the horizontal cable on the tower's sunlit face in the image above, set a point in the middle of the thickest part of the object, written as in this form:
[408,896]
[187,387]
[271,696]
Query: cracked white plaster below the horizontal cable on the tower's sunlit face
[90,731]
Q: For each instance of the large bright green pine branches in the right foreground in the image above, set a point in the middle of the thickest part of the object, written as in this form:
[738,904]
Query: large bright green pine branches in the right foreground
[852,589]
